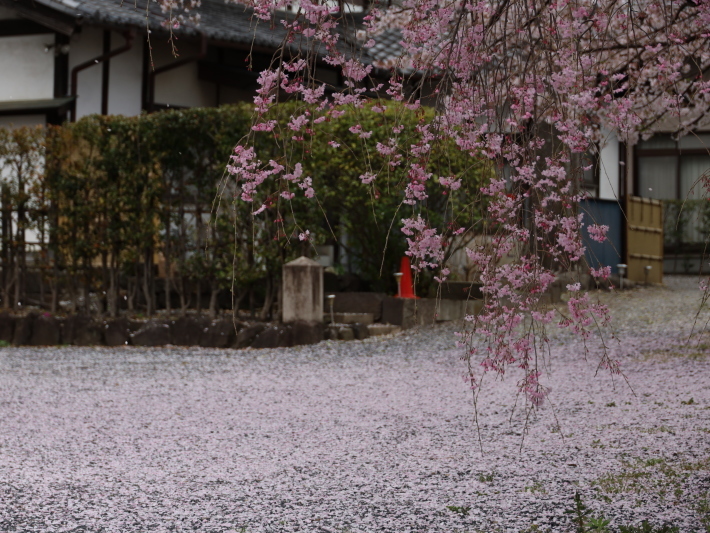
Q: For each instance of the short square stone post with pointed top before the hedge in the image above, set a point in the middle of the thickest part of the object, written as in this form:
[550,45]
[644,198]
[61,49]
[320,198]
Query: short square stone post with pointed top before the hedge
[302,296]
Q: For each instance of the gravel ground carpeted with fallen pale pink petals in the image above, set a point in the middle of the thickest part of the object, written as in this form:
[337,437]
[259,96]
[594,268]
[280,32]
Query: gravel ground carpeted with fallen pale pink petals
[371,436]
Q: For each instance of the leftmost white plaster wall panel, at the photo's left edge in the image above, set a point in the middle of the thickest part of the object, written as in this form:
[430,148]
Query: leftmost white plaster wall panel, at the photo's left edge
[27,70]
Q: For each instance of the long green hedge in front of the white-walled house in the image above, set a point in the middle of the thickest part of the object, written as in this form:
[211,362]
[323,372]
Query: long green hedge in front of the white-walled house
[115,193]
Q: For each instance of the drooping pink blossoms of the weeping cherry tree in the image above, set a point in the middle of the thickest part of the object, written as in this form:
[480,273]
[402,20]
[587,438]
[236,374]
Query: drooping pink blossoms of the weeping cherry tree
[527,86]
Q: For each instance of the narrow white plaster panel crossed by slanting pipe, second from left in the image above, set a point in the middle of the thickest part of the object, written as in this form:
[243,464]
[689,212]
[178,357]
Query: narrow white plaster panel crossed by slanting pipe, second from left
[83,47]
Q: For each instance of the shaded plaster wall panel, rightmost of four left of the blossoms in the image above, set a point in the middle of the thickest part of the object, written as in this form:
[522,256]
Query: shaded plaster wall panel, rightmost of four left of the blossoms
[180,86]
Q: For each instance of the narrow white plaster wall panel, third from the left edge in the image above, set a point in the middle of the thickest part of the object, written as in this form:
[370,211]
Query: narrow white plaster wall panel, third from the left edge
[125,78]
